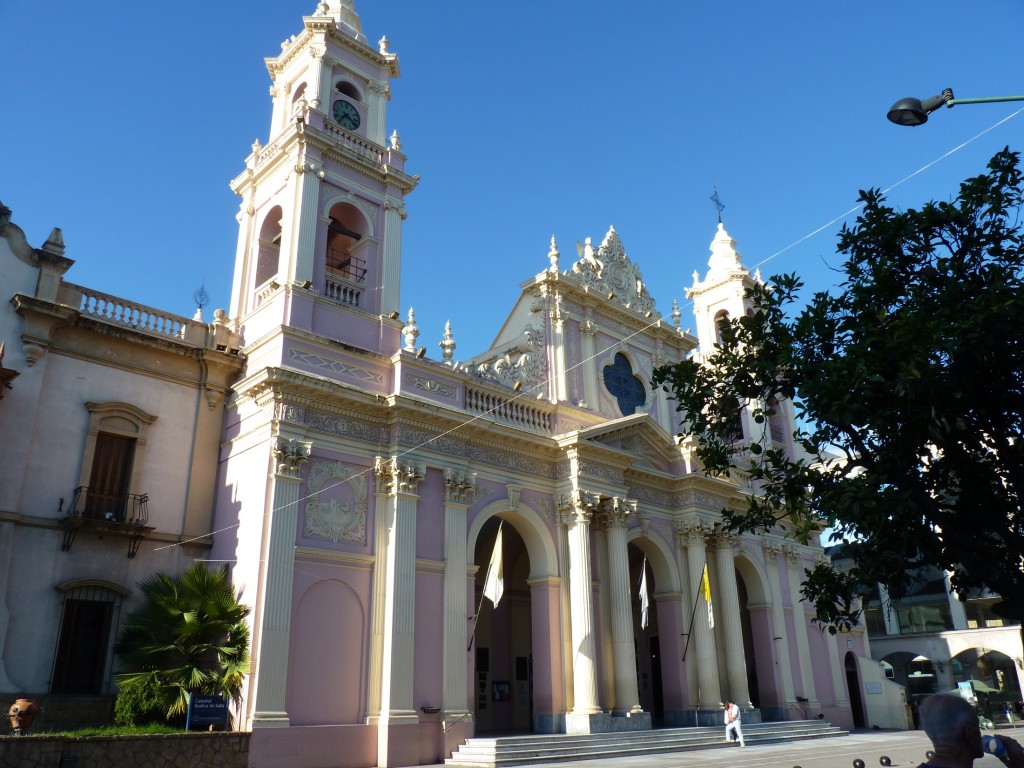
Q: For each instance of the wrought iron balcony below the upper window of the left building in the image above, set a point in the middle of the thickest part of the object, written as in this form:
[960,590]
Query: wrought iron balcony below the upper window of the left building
[118,515]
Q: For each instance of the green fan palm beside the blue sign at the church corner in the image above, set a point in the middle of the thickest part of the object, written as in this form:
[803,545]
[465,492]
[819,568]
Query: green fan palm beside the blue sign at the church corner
[190,636]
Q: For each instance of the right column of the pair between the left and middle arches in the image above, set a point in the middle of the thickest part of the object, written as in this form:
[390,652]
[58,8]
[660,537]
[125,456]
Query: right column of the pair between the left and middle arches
[627,696]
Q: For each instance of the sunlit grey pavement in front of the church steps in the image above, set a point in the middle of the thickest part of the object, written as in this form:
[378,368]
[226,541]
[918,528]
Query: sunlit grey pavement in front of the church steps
[905,750]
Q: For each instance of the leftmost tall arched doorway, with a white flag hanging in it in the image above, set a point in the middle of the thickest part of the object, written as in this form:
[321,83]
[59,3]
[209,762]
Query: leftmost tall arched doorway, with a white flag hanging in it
[503,687]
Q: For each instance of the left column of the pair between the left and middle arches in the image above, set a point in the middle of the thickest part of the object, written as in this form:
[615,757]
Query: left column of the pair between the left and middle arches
[582,596]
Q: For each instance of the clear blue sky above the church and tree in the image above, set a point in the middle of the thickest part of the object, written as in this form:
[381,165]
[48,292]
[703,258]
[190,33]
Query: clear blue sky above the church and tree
[123,124]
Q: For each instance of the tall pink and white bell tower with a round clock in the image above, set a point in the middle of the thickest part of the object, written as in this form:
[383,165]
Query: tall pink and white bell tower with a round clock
[323,201]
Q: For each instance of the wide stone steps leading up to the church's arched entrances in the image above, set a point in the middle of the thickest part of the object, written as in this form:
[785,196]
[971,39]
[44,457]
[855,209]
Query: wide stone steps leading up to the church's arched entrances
[557,748]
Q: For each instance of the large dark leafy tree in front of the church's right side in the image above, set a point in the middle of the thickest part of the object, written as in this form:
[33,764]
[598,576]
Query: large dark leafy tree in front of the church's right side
[909,387]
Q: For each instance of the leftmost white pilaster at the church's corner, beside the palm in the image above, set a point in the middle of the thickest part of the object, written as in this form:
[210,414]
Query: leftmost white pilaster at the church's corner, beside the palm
[271,662]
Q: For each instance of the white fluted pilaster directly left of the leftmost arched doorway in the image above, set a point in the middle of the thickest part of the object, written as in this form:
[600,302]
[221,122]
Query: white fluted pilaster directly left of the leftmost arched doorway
[459,492]
